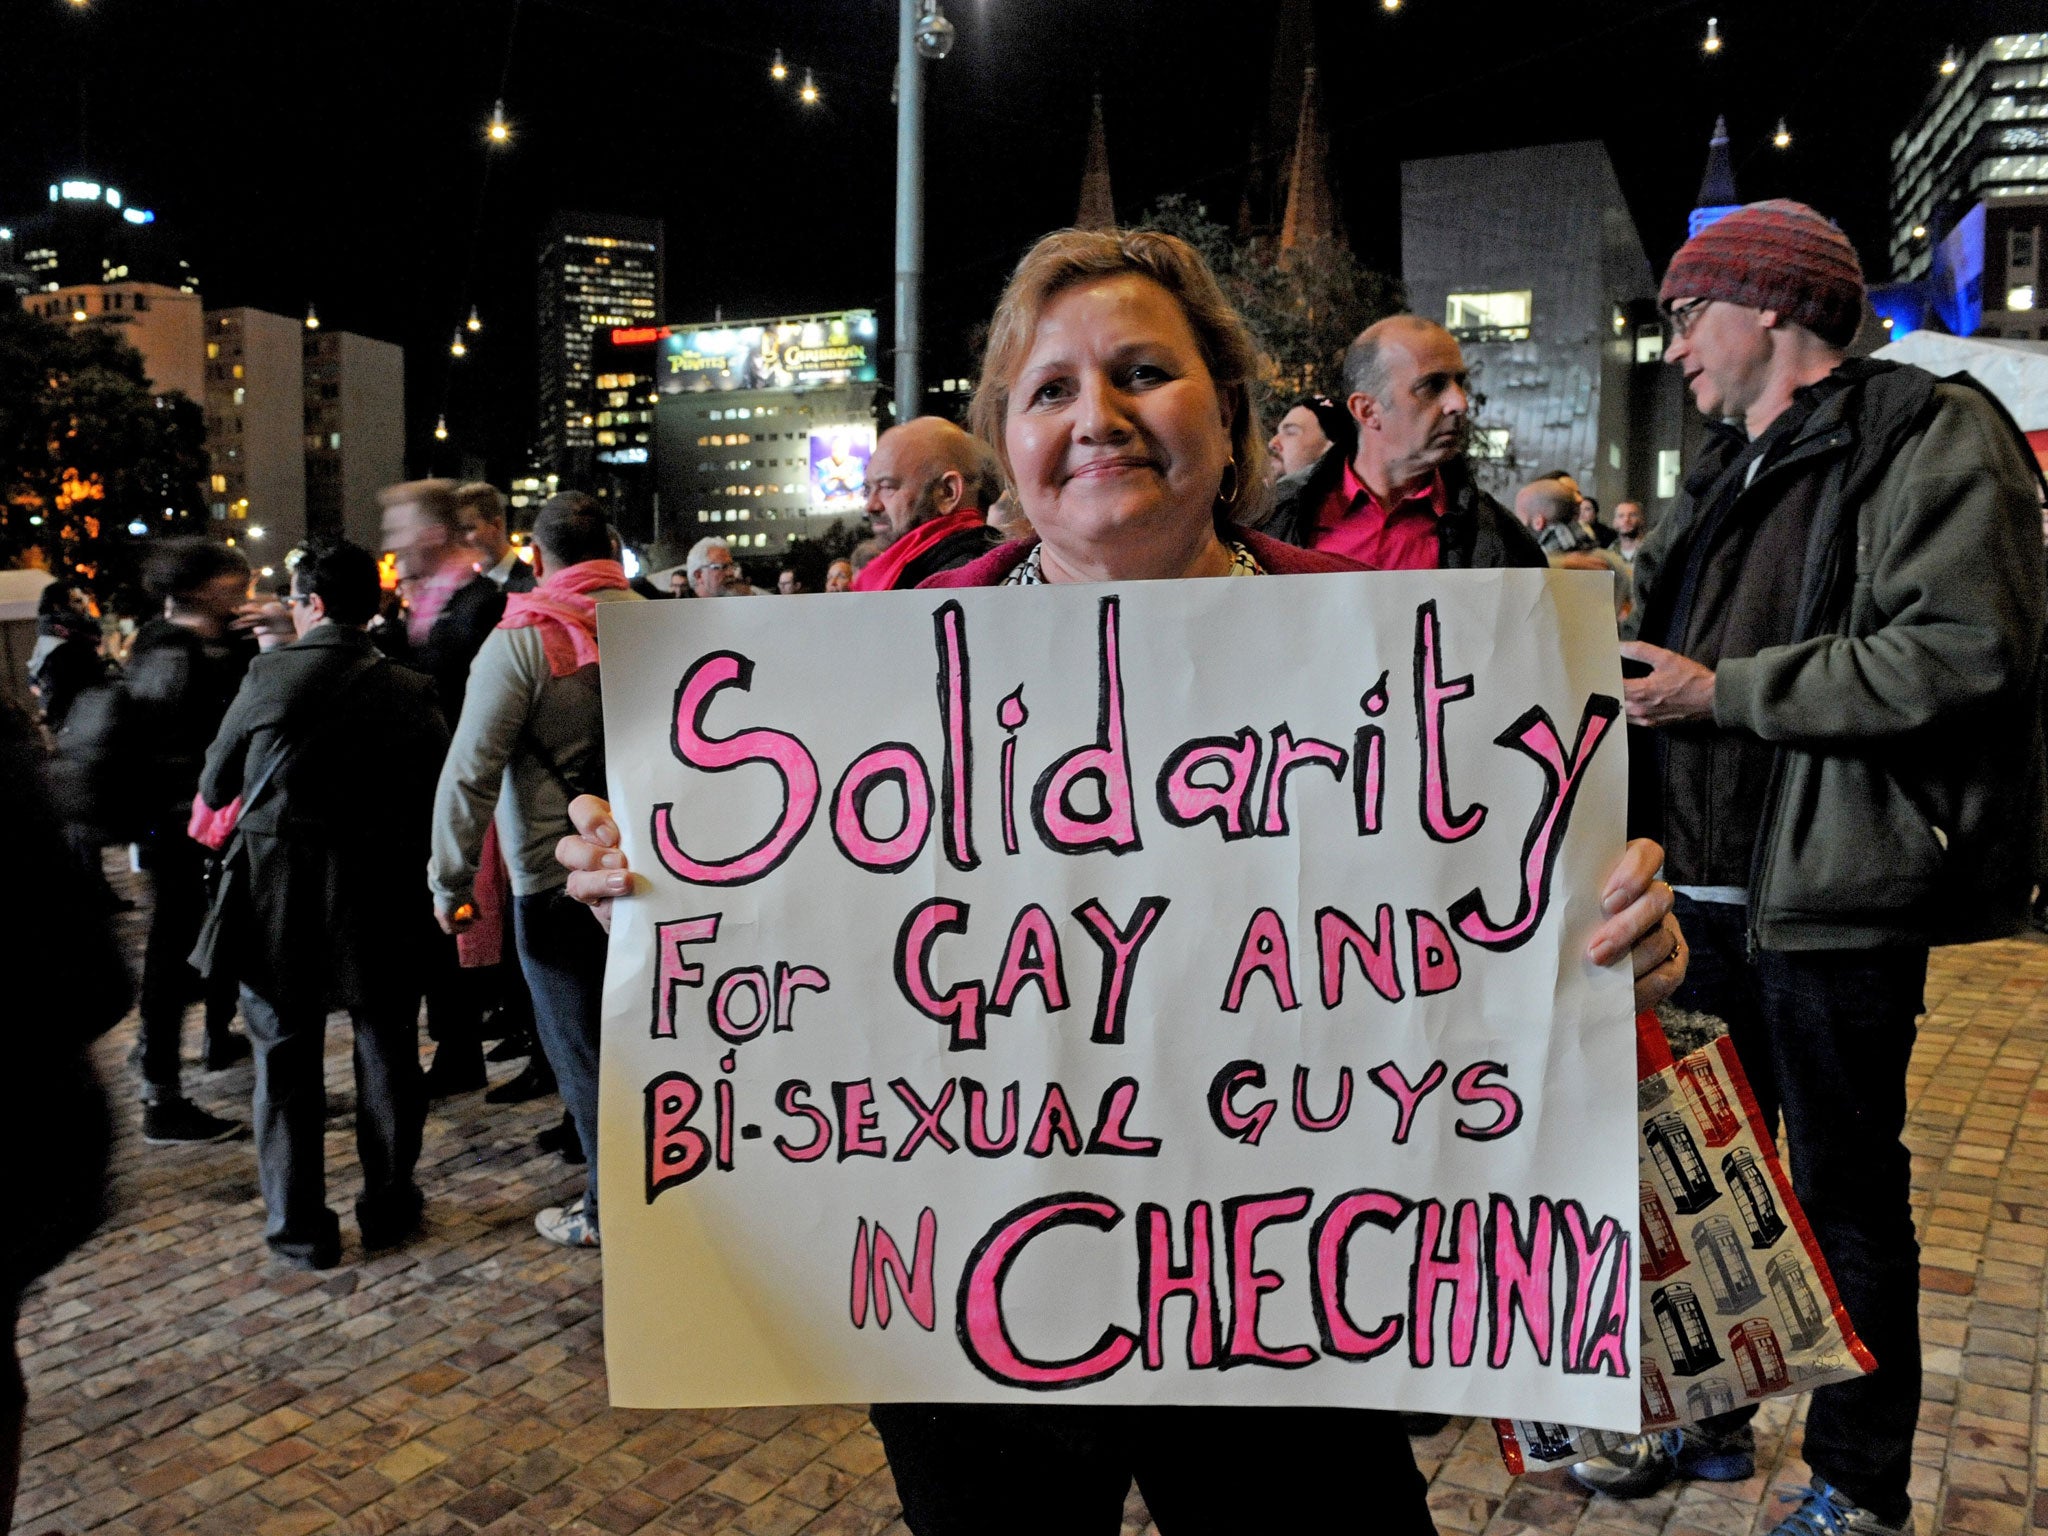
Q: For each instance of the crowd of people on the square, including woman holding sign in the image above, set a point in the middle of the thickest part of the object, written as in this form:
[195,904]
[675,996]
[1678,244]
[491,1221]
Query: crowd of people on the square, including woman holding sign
[1834,681]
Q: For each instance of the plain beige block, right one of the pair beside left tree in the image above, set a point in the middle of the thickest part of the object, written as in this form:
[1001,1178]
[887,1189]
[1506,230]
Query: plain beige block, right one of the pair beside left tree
[355,431]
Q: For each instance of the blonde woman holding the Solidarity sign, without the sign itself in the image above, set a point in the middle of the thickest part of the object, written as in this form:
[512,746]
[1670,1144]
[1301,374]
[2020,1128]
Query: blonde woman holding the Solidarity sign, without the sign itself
[1117,394]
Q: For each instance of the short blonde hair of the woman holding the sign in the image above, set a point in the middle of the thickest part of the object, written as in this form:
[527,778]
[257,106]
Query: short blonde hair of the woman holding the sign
[1072,257]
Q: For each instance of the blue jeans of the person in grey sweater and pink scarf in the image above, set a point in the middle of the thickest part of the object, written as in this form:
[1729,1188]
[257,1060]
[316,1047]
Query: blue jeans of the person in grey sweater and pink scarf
[562,953]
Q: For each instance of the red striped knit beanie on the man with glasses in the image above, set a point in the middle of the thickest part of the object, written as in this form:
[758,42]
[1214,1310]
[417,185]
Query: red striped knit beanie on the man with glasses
[1777,255]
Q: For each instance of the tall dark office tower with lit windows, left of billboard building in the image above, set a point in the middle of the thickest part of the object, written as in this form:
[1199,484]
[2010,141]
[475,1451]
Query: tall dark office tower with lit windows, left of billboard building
[599,273]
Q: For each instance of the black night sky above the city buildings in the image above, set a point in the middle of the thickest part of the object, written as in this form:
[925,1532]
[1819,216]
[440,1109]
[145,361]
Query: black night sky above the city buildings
[333,153]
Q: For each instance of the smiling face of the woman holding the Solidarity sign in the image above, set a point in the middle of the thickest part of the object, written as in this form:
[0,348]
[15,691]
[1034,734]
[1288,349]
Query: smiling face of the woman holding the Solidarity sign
[1115,425]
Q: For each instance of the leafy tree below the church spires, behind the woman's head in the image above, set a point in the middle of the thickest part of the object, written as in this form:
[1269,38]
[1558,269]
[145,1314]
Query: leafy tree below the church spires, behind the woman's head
[1304,306]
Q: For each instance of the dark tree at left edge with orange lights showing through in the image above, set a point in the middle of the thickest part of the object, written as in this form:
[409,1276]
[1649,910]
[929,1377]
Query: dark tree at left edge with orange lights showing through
[87,447]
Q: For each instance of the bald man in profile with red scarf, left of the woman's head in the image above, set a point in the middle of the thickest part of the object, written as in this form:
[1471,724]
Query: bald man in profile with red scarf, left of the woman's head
[929,490]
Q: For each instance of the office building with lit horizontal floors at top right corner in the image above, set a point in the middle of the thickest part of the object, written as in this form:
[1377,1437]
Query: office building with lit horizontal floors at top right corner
[1979,138]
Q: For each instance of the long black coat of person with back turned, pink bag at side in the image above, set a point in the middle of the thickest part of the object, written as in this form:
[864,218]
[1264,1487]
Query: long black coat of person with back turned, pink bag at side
[325,896]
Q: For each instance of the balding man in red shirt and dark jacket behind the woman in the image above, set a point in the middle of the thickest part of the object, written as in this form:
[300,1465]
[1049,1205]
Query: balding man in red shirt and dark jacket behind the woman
[1406,501]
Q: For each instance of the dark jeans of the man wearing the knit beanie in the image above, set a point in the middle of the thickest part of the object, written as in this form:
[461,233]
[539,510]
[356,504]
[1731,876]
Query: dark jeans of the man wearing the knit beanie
[1826,1039]
